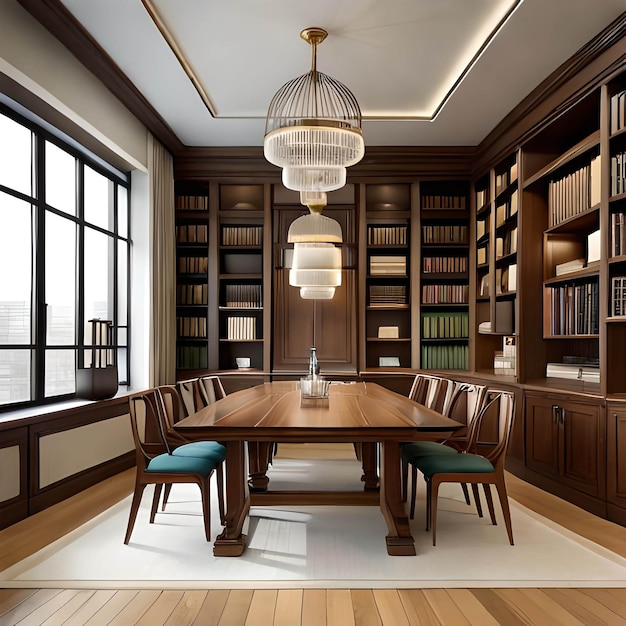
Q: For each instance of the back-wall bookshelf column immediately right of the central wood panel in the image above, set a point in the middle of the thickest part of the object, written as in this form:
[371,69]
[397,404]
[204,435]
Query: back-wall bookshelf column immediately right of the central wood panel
[388,276]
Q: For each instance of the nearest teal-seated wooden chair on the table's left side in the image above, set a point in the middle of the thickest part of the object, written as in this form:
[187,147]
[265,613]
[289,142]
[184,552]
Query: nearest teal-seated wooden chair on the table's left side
[158,466]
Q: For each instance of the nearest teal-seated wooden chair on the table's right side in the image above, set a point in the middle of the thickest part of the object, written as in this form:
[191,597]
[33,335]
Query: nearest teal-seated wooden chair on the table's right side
[481,464]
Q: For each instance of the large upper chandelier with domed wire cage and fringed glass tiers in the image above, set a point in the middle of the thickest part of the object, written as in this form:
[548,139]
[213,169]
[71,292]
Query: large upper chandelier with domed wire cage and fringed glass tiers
[313,128]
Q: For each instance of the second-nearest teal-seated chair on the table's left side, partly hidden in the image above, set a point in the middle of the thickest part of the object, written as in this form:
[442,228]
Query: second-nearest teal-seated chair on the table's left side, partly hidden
[172,409]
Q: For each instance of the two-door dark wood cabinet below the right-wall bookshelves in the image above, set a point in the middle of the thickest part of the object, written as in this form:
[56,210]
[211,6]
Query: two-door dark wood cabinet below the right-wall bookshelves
[565,442]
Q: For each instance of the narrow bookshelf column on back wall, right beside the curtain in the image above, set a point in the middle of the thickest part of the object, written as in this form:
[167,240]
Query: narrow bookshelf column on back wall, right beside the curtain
[192,285]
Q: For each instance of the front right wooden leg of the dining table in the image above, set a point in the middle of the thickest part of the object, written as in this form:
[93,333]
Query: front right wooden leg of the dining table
[400,542]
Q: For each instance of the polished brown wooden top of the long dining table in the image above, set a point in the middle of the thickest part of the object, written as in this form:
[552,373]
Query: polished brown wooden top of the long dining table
[353,412]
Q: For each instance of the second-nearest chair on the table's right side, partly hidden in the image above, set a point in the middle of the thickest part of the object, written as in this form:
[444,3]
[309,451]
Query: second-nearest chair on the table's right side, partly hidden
[465,405]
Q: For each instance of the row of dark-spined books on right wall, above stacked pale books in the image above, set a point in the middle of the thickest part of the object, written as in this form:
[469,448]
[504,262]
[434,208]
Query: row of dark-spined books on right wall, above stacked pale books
[574,309]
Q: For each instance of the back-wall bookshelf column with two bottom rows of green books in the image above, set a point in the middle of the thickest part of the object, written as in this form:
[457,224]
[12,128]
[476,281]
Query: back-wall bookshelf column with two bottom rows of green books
[444,275]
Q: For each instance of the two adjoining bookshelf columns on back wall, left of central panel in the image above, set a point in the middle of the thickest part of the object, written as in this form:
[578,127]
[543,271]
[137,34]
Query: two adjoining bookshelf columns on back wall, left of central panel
[221,297]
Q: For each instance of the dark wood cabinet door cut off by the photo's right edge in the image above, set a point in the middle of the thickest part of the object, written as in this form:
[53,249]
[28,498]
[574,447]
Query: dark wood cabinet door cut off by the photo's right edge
[616,462]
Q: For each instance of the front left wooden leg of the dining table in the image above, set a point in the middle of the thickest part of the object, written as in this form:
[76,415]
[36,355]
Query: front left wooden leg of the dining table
[230,542]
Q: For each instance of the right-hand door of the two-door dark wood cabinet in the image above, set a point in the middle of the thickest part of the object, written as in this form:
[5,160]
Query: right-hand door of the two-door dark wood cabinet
[582,435]
